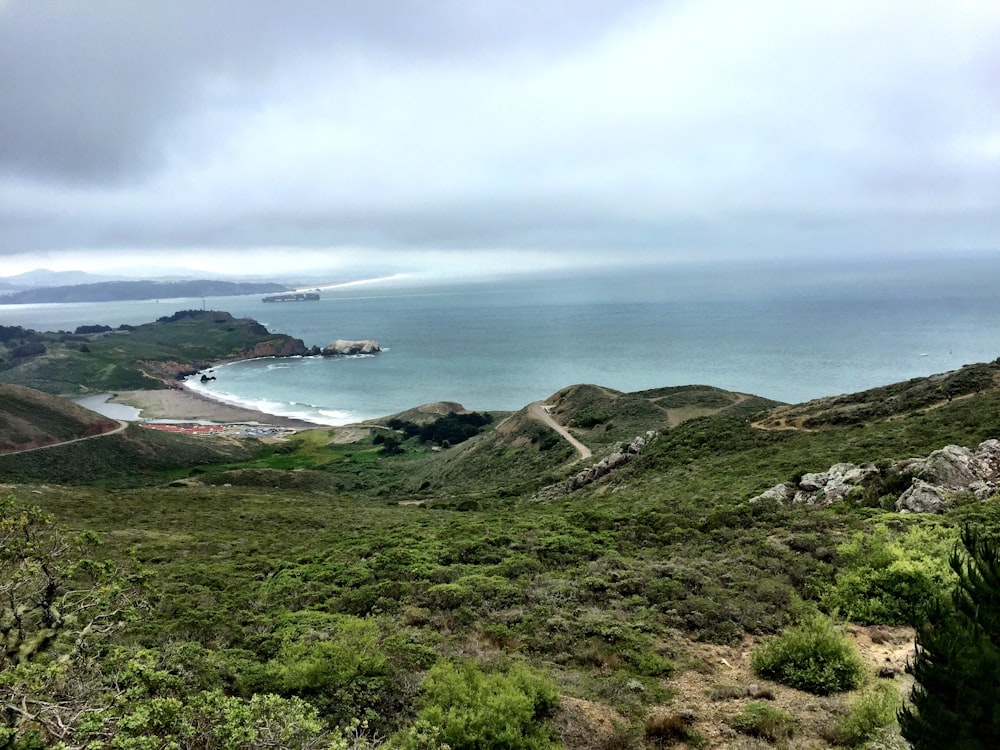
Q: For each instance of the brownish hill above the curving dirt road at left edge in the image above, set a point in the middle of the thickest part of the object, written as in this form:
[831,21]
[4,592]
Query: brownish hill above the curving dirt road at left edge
[30,418]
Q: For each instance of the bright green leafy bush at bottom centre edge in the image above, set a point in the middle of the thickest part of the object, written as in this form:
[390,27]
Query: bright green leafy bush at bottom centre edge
[465,709]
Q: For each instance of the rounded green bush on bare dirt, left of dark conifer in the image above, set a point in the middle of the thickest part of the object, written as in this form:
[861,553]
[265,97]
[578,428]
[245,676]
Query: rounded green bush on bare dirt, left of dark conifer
[813,656]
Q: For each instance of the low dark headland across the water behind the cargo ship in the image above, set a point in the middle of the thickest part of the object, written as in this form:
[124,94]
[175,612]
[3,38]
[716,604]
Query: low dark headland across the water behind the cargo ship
[112,291]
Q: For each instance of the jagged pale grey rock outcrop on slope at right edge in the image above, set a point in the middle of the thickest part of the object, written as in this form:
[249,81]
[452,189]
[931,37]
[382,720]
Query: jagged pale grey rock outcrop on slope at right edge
[934,481]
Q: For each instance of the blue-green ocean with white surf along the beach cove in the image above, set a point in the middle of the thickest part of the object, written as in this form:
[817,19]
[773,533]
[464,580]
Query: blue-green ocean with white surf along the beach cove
[787,332]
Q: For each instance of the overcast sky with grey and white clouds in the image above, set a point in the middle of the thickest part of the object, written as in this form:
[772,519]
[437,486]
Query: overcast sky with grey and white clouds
[473,137]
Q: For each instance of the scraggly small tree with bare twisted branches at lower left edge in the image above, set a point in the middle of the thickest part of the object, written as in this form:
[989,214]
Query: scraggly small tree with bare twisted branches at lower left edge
[56,605]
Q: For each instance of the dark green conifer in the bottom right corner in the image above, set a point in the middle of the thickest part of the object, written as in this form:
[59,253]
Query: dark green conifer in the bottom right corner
[955,701]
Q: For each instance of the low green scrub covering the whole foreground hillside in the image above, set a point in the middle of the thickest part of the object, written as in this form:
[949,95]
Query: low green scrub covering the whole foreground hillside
[323,592]
